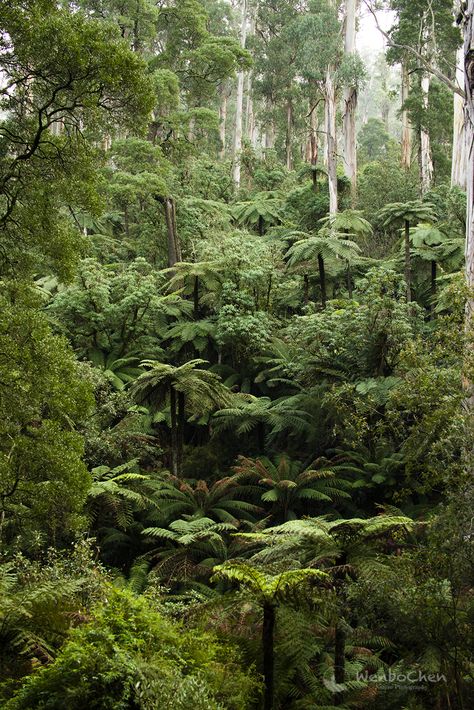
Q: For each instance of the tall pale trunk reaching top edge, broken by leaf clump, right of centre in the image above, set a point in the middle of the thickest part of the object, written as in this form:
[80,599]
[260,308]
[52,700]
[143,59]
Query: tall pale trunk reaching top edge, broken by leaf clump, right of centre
[350,102]
